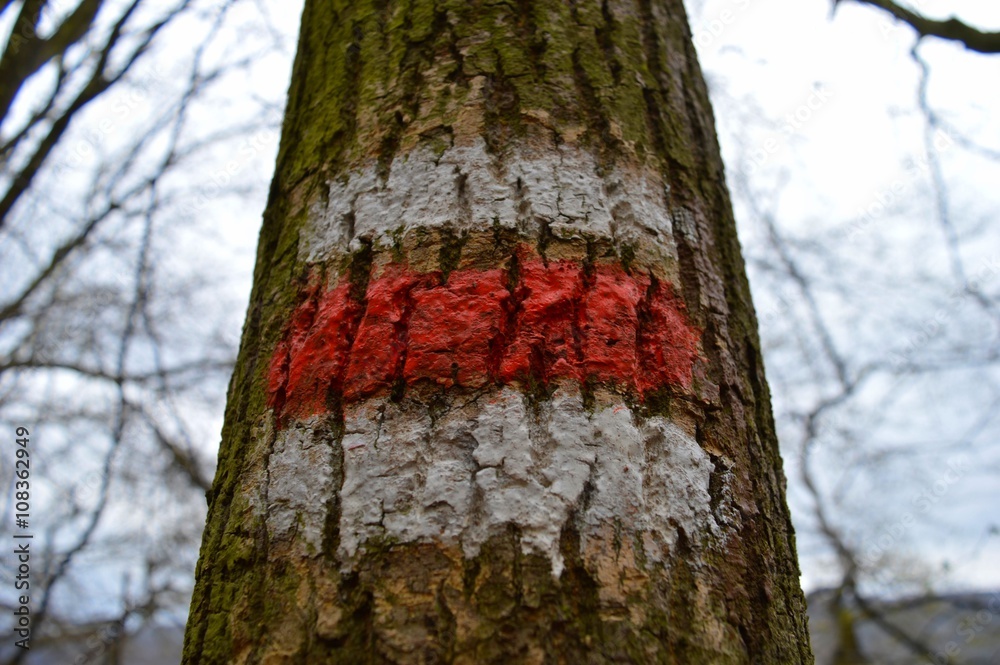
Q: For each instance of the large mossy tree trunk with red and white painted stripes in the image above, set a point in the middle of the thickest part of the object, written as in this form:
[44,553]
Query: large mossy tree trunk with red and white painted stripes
[500,395]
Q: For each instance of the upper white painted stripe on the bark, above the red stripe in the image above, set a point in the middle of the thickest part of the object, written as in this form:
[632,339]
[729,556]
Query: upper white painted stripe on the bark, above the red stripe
[468,189]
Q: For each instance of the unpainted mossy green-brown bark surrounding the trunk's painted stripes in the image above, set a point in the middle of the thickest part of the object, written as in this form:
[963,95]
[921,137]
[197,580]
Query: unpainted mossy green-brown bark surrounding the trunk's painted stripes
[372,79]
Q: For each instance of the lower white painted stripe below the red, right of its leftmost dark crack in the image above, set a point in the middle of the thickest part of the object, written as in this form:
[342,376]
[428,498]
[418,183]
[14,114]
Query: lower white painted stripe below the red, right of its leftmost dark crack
[481,464]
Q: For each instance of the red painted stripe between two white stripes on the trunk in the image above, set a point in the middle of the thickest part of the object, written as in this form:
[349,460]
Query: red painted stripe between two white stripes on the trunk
[471,330]
